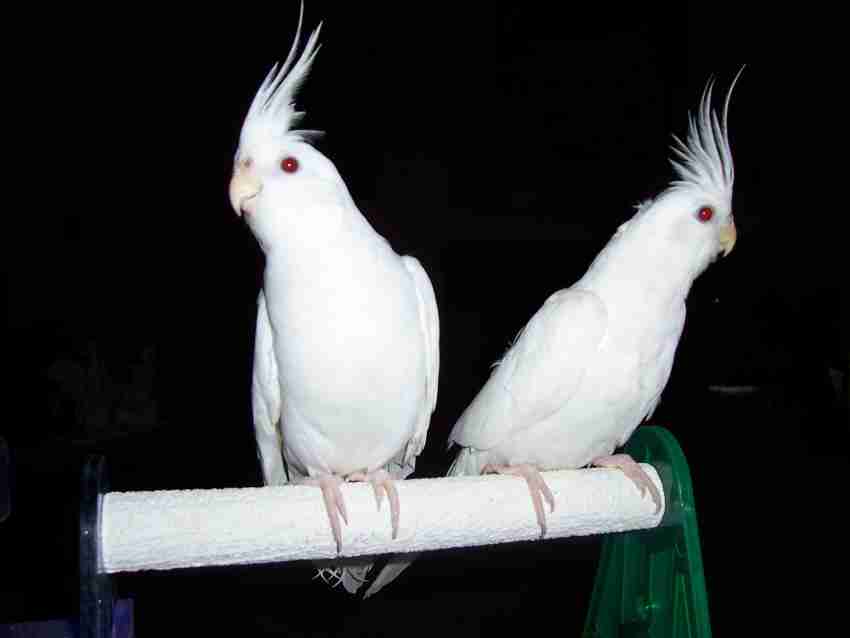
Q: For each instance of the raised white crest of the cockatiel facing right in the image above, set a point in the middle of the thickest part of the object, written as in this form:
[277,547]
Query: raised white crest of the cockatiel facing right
[705,161]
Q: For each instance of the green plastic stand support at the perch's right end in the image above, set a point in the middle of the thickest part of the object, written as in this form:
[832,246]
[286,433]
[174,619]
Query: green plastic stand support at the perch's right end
[650,583]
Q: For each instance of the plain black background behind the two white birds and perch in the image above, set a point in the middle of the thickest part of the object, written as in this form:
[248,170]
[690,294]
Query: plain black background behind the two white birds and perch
[500,145]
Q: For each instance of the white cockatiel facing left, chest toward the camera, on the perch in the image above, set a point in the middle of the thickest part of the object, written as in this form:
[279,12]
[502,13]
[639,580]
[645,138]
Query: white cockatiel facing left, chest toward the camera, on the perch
[346,351]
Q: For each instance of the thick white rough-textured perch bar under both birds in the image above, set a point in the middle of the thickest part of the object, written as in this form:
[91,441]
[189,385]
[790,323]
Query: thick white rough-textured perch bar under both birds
[173,529]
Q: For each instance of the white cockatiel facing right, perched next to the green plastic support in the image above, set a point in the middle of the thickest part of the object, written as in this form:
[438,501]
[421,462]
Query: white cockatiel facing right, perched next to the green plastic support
[592,363]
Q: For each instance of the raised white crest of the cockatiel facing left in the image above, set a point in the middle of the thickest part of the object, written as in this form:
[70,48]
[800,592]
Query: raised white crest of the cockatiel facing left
[272,112]
